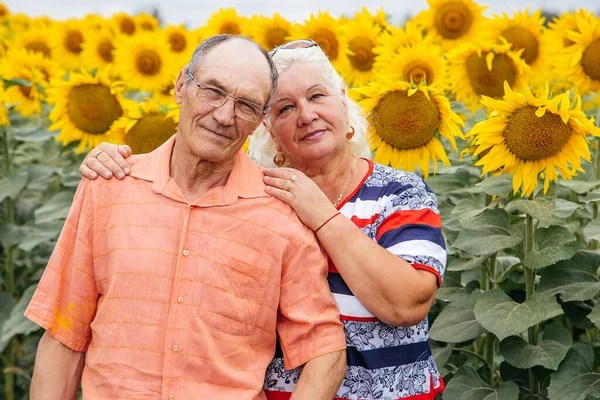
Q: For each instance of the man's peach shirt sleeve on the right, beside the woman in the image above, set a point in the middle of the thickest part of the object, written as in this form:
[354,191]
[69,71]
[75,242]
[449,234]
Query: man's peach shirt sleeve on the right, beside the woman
[308,320]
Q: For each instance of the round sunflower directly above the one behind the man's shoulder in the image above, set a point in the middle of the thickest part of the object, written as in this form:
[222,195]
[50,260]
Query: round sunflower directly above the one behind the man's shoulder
[144,61]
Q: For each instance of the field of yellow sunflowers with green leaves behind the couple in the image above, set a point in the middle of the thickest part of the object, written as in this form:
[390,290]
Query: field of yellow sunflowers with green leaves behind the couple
[500,114]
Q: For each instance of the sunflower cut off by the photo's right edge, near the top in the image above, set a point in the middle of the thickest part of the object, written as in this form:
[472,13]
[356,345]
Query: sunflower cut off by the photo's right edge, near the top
[581,61]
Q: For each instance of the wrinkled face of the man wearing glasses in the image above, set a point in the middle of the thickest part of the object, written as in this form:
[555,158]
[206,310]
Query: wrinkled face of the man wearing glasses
[216,134]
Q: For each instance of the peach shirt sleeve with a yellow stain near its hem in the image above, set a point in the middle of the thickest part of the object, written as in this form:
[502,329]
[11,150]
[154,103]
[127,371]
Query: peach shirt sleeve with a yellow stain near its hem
[65,300]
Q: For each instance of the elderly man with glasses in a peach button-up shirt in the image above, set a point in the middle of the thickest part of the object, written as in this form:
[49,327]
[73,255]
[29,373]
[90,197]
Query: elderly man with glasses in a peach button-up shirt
[172,283]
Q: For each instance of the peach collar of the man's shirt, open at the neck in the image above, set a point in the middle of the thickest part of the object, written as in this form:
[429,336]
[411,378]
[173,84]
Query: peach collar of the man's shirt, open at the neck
[245,179]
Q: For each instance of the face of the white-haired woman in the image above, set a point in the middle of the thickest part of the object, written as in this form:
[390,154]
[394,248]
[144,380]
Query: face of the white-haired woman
[308,119]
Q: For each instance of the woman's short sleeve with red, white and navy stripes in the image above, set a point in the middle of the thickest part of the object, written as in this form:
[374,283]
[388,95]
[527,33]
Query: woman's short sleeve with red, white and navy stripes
[410,225]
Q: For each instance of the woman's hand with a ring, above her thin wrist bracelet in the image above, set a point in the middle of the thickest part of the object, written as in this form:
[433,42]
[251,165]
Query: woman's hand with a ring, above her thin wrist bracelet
[302,194]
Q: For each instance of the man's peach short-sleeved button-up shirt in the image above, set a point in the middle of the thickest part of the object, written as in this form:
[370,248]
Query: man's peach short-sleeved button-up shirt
[177,300]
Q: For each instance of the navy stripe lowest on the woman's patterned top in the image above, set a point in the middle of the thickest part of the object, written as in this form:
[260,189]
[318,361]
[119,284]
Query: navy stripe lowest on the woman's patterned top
[384,357]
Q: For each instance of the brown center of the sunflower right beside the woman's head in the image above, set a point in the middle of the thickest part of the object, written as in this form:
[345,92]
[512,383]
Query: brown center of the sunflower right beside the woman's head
[406,122]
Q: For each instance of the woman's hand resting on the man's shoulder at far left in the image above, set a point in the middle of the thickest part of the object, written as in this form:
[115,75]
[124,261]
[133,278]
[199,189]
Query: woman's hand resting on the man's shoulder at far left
[106,160]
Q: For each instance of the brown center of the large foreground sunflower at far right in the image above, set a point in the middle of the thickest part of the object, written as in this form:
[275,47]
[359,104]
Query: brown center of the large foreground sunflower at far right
[532,138]
